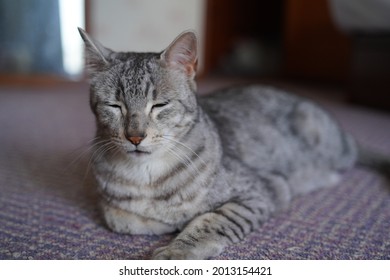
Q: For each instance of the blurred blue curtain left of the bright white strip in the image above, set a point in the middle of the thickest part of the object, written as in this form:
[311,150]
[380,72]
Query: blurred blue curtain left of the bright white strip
[30,37]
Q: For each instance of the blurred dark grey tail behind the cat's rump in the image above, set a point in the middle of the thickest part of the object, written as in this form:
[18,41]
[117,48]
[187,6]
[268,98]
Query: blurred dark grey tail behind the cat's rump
[374,160]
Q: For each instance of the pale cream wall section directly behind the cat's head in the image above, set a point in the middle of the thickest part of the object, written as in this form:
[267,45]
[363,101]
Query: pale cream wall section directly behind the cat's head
[144,25]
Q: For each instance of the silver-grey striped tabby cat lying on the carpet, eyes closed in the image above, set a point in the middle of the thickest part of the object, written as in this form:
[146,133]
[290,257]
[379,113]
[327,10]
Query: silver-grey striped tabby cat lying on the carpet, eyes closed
[214,168]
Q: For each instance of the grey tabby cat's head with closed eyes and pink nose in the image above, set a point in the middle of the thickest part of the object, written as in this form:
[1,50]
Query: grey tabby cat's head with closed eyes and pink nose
[142,99]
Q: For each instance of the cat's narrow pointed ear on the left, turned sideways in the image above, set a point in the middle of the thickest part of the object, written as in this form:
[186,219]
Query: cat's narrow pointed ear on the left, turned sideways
[97,56]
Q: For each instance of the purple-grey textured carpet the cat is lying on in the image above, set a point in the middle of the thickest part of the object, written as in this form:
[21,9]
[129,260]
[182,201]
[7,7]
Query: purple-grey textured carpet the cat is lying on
[48,207]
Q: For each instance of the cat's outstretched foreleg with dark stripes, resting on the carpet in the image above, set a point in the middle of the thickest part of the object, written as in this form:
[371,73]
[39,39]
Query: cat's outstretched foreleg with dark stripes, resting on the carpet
[207,235]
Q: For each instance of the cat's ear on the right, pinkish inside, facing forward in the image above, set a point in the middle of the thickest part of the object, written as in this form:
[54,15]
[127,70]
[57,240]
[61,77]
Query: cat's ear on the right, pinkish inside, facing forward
[182,53]
